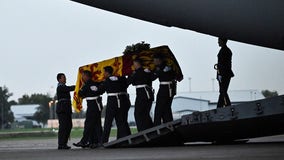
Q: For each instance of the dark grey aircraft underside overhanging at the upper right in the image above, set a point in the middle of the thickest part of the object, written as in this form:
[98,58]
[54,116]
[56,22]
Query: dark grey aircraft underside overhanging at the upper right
[258,22]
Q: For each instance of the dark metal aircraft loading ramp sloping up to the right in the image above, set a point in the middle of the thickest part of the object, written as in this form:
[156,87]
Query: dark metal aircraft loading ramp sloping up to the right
[223,125]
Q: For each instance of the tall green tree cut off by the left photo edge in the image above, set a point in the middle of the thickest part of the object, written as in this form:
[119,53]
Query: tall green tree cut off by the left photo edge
[6,116]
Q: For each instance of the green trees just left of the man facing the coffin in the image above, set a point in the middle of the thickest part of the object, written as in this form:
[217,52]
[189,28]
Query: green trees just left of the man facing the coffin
[42,113]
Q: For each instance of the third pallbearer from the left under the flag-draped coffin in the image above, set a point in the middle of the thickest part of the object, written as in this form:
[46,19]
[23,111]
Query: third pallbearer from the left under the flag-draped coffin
[142,80]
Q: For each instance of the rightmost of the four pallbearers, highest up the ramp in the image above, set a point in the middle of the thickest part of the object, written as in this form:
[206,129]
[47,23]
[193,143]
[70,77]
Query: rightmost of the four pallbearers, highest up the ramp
[167,90]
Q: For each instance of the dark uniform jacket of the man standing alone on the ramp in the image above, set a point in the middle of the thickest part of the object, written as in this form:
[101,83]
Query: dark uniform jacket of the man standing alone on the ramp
[225,62]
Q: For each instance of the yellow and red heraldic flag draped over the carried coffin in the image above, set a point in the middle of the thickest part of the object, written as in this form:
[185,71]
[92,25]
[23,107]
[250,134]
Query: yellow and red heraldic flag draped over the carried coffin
[122,67]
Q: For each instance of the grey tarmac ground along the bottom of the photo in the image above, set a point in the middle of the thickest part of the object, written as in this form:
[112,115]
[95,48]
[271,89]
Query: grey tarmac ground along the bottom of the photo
[265,148]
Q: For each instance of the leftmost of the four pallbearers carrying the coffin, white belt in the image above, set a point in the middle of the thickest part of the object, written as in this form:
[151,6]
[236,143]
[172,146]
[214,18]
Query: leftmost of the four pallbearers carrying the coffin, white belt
[92,135]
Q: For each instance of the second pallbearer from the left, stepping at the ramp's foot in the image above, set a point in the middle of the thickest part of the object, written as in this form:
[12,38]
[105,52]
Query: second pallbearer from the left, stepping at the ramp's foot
[118,104]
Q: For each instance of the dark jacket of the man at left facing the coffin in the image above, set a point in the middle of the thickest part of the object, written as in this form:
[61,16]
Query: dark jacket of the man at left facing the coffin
[64,98]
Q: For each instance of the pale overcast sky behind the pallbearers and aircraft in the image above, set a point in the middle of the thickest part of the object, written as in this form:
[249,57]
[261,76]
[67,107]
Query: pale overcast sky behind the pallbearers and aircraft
[39,38]
